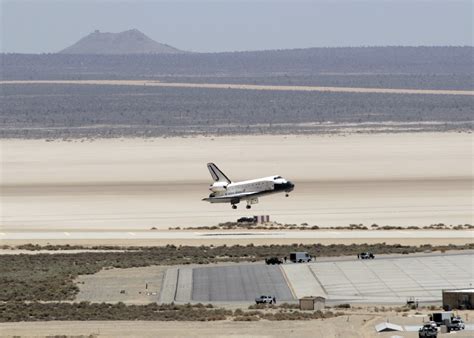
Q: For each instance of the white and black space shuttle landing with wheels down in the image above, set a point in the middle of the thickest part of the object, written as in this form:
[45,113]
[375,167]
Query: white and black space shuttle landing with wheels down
[223,190]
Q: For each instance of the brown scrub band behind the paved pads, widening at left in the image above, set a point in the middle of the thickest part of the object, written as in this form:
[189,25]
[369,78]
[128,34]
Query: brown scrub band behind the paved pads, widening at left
[50,277]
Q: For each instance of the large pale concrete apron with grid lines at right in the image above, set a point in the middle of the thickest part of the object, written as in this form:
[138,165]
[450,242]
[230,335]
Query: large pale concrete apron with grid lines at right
[395,279]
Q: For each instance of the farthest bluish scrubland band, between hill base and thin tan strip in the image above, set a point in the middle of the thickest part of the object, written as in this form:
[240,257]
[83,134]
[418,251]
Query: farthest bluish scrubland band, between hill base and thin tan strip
[392,66]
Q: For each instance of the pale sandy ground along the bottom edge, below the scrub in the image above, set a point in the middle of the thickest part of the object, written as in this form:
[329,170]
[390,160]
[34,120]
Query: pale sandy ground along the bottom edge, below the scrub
[360,323]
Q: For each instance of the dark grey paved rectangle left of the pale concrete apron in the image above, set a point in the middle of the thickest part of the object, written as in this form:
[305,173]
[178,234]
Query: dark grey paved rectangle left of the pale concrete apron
[239,283]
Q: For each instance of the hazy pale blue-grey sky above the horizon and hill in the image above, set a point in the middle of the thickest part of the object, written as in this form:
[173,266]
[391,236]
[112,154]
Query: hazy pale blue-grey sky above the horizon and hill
[38,26]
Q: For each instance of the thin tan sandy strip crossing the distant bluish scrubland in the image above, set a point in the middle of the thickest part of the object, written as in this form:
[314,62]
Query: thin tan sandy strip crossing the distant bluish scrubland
[247,87]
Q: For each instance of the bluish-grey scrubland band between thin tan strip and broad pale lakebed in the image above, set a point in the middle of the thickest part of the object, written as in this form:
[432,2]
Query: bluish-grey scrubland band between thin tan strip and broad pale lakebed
[55,111]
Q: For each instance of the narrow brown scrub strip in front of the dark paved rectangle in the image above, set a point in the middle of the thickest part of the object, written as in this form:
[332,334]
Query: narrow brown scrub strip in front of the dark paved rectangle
[36,311]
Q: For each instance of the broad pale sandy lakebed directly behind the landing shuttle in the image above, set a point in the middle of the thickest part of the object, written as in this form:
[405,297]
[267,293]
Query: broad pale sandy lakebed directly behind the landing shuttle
[135,184]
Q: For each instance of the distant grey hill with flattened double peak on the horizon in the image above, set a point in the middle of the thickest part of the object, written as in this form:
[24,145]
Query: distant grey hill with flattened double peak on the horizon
[128,42]
